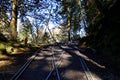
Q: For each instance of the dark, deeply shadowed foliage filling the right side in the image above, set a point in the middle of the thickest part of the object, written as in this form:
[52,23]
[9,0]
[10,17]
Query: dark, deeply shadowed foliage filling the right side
[103,28]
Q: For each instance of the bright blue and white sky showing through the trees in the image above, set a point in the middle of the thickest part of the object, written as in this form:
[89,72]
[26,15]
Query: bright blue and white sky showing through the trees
[45,14]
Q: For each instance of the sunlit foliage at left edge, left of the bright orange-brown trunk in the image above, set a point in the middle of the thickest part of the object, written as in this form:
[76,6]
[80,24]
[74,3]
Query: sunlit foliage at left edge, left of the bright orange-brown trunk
[4,19]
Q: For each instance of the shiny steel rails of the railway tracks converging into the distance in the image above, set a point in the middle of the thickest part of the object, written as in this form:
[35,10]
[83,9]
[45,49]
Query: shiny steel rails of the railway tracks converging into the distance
[54,73]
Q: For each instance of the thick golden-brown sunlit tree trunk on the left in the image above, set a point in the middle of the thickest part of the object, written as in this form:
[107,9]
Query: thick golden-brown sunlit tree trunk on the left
[13,23]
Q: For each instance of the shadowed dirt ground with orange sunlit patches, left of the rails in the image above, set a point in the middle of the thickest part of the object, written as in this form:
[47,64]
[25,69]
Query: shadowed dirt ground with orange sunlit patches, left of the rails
[10,63]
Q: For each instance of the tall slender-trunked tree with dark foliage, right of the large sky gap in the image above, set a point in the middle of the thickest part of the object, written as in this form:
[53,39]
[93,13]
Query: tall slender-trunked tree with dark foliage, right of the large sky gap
[71,9]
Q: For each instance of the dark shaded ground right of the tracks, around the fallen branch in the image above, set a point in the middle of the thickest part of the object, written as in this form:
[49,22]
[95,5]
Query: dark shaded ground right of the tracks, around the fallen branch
[110,72]
